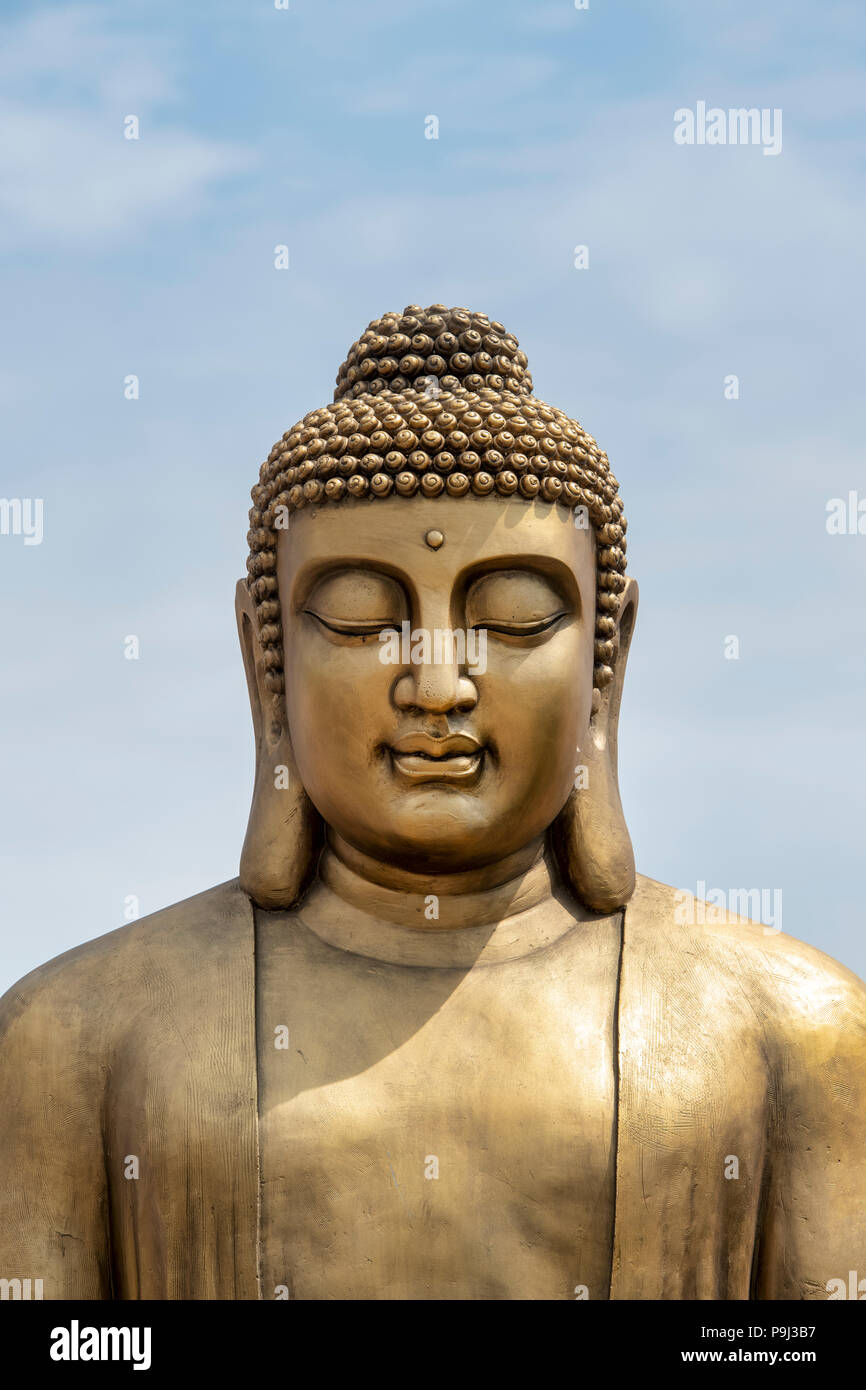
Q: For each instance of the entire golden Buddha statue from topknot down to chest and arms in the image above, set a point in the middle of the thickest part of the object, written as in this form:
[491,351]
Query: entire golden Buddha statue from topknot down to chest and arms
[437,1040]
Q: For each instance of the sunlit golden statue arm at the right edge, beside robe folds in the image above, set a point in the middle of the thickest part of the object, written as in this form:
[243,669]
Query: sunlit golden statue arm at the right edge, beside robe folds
[815,1204]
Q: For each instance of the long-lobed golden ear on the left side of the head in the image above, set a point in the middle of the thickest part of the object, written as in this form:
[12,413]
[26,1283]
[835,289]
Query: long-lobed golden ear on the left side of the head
[284,832]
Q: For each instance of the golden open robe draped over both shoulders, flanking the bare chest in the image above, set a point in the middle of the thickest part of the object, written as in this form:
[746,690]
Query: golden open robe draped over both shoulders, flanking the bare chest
[130,1159]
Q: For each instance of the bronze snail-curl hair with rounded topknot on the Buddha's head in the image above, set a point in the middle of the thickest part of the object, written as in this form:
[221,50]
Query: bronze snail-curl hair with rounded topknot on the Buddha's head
[436,402]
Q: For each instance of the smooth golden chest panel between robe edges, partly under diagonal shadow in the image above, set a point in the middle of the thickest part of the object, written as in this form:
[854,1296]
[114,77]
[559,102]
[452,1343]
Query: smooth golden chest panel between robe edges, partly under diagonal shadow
[436,1134]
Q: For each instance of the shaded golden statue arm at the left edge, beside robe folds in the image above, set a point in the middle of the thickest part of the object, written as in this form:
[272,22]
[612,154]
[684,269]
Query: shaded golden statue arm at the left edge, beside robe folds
[54,1210]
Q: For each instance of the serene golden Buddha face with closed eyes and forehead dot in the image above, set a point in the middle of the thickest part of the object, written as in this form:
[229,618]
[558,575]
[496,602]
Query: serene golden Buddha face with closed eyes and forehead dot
[434,751]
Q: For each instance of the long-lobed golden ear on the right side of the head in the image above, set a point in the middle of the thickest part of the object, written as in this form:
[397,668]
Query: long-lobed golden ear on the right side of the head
[590,836]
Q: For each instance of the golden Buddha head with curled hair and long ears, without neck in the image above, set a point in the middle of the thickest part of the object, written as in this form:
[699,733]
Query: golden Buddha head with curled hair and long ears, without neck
[436,623]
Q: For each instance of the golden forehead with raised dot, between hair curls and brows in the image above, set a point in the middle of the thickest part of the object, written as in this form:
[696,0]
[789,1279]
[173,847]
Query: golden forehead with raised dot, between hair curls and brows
[390,534]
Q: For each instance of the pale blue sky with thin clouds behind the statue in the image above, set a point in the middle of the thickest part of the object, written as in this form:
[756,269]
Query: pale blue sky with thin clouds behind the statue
[156,258]
